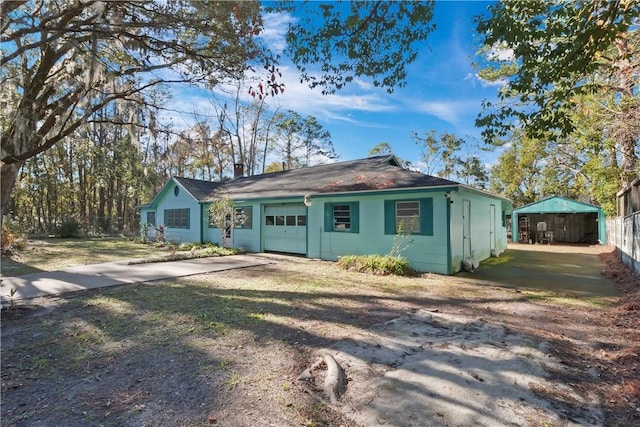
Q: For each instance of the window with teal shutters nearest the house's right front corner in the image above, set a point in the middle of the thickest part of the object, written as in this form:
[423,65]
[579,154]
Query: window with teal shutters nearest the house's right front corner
[415,216]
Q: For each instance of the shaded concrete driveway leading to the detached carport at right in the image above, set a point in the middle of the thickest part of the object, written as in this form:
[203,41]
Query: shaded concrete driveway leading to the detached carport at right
[575,270]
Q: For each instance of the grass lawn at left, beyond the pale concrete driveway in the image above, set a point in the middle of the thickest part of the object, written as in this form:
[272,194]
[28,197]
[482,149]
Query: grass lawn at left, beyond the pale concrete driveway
[54,254]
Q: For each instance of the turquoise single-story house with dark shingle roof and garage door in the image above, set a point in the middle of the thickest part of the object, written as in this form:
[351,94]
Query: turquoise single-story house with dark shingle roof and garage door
[346,208]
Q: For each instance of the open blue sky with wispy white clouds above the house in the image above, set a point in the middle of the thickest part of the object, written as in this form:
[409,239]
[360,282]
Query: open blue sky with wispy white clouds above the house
[443,92]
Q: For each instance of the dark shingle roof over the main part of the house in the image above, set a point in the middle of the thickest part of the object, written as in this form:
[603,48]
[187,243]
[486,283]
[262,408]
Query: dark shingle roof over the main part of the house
[374,173]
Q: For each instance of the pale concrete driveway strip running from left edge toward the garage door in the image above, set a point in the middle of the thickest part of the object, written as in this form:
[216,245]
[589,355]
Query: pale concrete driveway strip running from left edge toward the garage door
[115,273]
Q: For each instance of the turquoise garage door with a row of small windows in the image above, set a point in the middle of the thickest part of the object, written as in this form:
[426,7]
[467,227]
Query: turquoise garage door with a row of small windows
[285,228]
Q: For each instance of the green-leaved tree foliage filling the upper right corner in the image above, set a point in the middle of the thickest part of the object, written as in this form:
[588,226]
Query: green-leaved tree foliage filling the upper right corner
[550,55]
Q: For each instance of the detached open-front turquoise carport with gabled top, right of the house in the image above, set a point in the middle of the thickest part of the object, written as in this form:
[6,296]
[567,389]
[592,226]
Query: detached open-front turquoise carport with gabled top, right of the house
[558,219]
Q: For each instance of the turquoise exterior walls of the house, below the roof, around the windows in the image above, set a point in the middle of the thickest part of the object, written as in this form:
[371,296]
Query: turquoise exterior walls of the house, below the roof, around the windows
[438,249]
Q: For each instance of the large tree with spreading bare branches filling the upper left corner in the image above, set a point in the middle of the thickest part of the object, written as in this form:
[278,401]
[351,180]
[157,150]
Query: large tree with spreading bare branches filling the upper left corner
[63,61]
